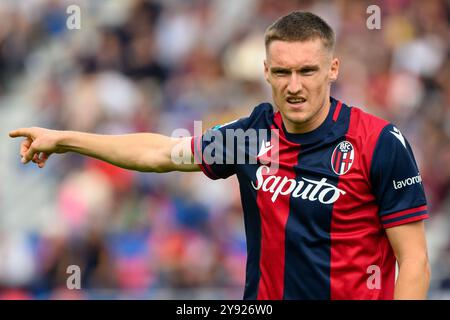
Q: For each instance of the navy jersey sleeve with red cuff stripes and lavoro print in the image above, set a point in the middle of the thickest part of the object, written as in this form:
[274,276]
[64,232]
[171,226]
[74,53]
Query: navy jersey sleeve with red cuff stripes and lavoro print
[396,180]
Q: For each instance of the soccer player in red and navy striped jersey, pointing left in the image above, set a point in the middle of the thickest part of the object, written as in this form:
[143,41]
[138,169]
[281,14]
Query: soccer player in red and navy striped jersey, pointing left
[333,197]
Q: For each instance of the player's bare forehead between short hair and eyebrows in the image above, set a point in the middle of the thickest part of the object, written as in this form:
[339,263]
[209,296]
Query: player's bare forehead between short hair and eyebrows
[292,54]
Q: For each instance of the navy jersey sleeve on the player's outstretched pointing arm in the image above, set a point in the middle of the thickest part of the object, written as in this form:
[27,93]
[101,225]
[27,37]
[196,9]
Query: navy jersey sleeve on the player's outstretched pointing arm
[216,151]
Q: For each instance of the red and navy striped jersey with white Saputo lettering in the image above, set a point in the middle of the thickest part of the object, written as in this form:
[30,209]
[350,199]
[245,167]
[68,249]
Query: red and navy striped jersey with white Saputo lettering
[316,205]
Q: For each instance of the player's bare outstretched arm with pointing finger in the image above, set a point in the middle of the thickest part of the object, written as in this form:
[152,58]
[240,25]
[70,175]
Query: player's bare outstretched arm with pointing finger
[146,152]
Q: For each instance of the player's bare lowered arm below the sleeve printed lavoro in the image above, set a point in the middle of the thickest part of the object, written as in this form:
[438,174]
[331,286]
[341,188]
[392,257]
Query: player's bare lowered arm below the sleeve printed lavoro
[409,245]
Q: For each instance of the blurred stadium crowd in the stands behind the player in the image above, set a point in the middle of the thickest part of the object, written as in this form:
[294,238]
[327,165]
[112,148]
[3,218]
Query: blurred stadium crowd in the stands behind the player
[154,66]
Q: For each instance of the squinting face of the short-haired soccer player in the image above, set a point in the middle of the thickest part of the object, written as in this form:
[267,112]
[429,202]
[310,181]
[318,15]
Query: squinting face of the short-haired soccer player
[300,74]
